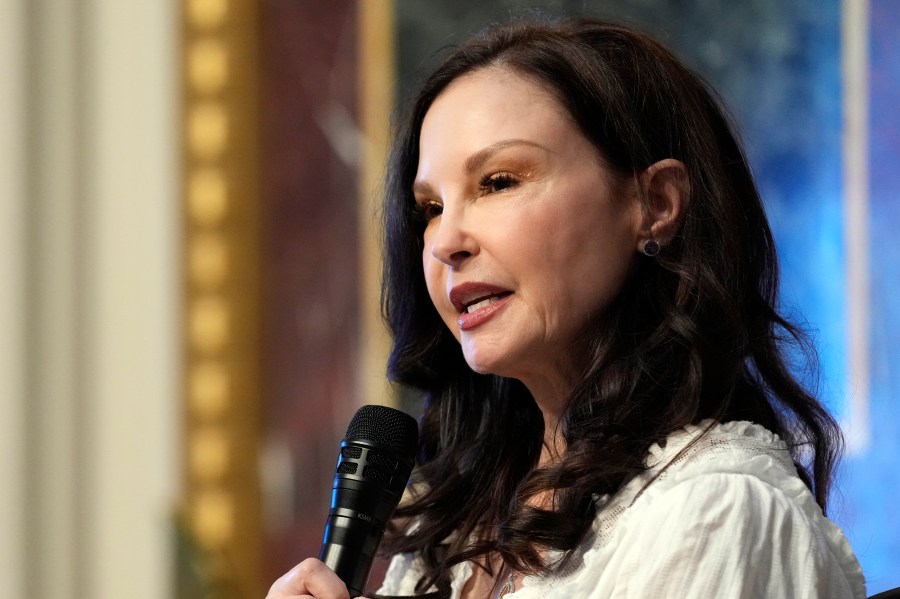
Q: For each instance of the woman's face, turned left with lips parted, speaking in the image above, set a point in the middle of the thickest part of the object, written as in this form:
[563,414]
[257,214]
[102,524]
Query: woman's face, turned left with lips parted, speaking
[529,234]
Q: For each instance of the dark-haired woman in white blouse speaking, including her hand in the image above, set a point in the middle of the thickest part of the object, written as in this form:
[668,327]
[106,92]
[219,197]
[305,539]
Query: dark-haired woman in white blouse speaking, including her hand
[580,278]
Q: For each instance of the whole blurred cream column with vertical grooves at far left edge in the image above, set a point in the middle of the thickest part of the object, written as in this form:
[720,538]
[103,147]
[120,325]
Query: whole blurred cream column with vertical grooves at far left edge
[89,298]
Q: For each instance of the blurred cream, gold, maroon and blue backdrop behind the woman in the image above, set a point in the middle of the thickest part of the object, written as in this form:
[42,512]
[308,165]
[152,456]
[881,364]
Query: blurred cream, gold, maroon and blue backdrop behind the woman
[189,260]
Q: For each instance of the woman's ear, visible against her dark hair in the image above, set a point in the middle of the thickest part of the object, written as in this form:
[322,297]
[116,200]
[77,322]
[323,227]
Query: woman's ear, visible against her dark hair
[667,191]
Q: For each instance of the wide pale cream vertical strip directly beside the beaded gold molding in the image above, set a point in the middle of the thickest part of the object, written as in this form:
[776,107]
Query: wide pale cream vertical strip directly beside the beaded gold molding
[132,245]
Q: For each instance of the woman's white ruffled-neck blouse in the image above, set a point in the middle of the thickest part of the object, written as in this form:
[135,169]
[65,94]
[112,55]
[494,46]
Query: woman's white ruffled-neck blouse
[727,517]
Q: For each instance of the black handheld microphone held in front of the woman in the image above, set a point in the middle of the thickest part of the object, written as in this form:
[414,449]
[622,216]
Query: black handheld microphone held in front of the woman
[376,459]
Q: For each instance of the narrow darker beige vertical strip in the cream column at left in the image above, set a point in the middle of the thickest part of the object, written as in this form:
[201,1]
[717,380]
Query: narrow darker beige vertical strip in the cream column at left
[54,466]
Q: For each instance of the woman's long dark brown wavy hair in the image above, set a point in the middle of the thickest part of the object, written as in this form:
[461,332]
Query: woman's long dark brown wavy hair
[694,334]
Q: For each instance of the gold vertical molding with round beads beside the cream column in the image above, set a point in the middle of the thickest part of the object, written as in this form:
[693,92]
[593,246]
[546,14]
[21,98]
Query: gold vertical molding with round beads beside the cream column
[222,291]
